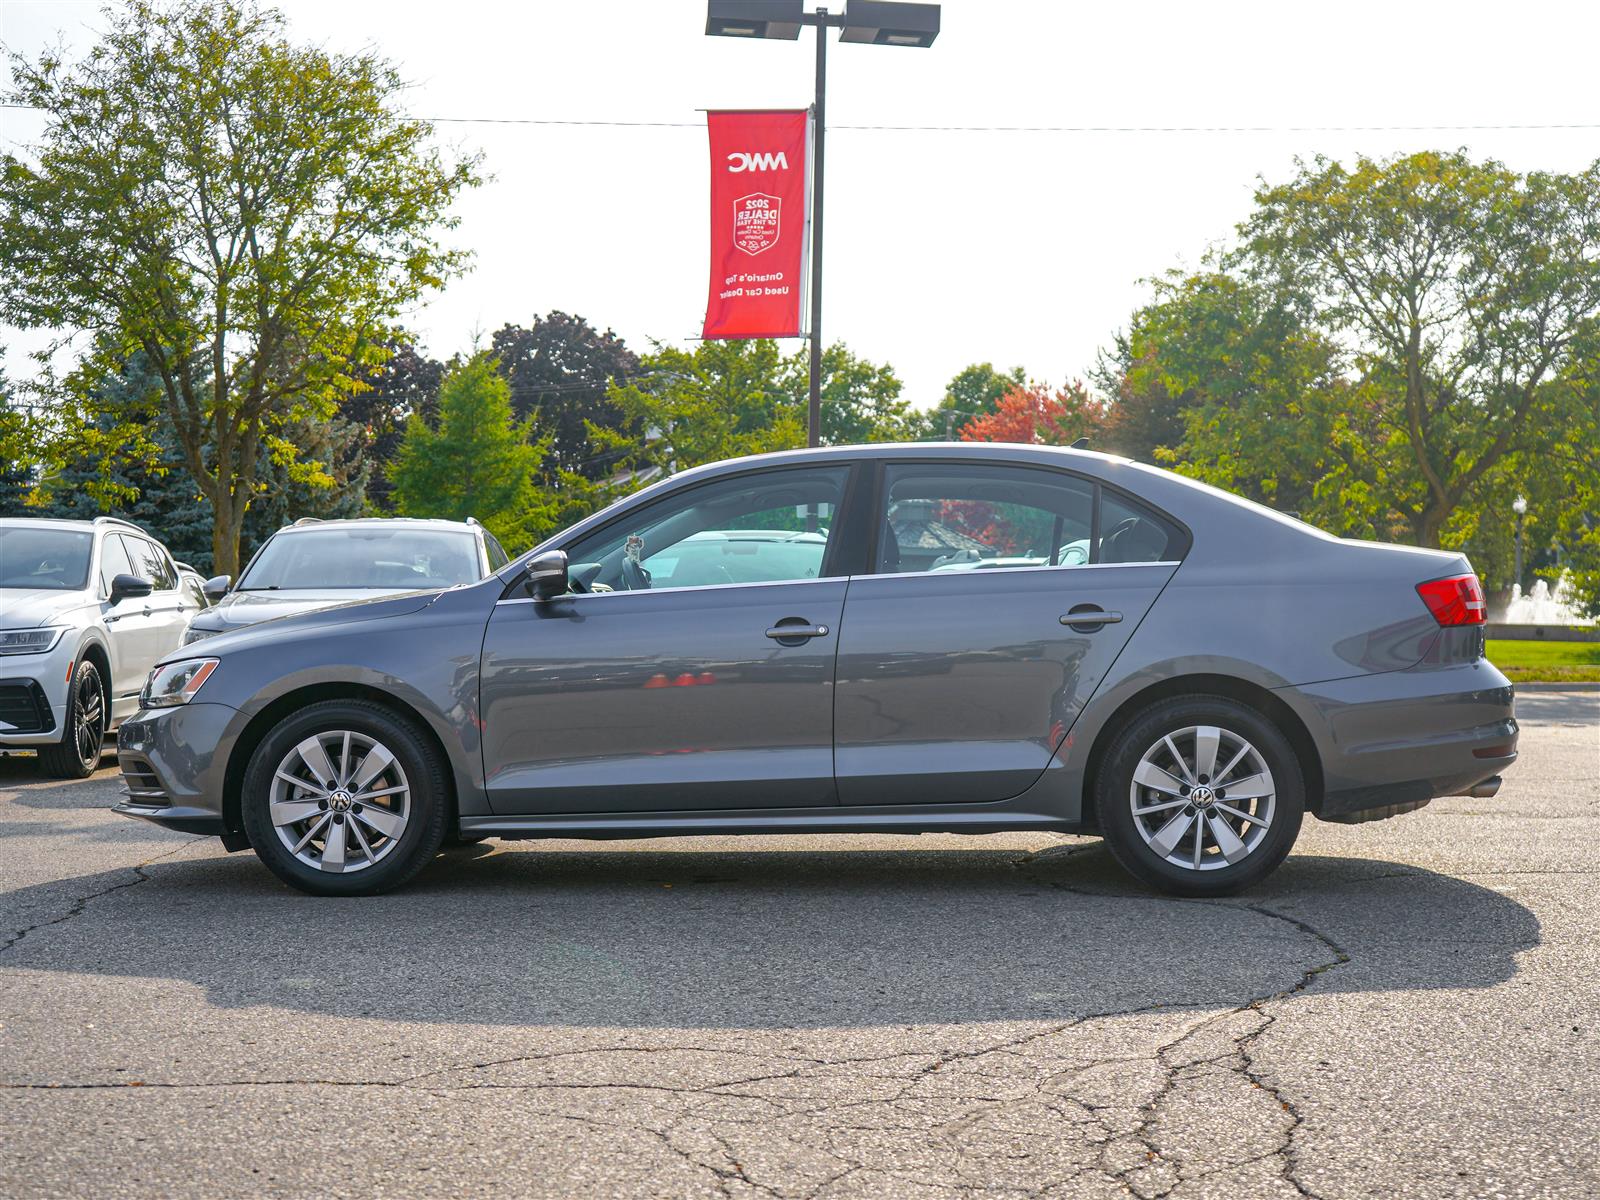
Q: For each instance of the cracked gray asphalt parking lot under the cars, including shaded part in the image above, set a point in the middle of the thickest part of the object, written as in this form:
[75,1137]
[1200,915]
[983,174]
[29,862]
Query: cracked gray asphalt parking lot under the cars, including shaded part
[1406,1009]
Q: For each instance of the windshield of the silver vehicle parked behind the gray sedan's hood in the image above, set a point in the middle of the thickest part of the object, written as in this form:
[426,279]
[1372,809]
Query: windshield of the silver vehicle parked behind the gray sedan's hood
[372,558]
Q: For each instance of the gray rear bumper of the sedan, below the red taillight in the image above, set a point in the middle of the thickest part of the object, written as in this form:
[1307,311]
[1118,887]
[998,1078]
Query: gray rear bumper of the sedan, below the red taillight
[1402,738]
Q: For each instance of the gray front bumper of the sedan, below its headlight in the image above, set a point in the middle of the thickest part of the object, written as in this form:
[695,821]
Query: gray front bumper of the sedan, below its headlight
[174,766]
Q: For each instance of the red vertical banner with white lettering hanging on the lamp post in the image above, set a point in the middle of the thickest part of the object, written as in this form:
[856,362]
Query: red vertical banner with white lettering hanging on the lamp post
[759,175]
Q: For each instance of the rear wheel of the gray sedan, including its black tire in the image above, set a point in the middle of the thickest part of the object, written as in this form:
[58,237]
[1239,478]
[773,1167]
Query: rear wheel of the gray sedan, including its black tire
[1234,854]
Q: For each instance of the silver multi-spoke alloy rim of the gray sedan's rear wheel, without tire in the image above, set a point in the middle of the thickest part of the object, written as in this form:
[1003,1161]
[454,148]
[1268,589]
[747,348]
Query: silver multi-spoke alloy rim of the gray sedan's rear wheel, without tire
[1202,798]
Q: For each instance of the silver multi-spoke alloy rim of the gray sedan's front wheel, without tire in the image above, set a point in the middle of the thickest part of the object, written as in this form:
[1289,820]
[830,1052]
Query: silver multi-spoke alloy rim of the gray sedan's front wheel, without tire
[340,801]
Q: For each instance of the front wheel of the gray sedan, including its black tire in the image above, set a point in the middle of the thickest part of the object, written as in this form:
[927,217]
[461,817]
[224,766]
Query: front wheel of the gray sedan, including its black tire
[380,823]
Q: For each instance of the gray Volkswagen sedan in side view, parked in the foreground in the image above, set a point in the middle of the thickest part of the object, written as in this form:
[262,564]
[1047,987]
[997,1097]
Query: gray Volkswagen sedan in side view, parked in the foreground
[890,639]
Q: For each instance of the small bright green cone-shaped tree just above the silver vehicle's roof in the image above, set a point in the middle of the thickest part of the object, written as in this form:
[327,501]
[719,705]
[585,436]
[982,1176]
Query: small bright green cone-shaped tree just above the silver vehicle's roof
[478,462]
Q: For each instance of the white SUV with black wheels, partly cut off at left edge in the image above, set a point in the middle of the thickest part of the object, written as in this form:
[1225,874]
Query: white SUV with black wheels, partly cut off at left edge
[86,612]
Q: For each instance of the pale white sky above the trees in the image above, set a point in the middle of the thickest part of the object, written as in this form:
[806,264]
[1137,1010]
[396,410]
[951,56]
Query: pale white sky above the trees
[943,247]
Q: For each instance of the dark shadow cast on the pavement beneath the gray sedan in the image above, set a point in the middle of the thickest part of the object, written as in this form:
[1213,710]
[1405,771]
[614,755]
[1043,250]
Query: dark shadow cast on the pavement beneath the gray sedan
[660,937]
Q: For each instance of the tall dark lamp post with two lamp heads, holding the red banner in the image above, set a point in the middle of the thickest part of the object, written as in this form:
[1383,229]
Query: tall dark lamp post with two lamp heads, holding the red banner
[881,23]
